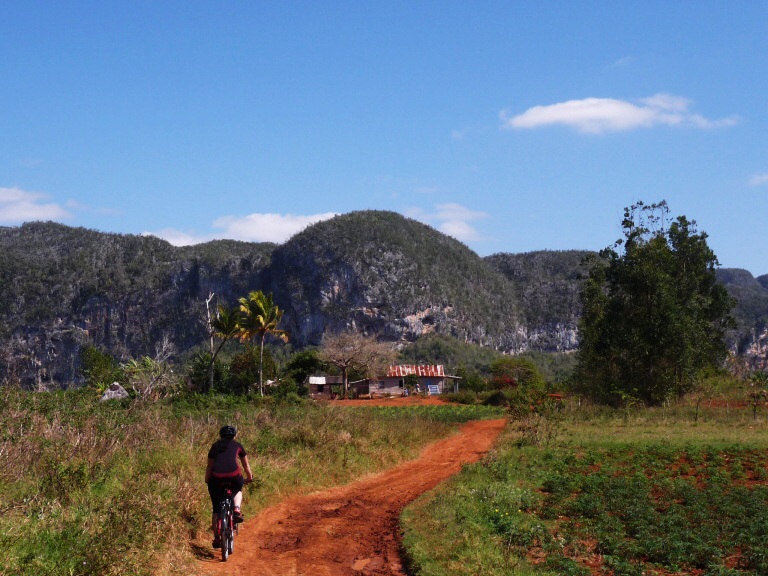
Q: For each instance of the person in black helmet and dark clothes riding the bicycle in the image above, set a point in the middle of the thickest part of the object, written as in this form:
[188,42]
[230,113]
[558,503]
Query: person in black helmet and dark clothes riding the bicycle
[223,472]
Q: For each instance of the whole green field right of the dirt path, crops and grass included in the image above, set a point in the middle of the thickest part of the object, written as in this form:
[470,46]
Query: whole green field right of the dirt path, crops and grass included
[613,492]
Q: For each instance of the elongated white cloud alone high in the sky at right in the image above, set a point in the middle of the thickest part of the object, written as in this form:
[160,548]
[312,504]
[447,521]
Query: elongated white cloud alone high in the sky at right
[599,115]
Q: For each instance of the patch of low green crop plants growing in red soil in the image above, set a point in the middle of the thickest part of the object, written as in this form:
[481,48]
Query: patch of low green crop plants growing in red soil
[642,506]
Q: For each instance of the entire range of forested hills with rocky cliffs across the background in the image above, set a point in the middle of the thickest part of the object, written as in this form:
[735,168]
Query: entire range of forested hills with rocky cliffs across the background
[378,272]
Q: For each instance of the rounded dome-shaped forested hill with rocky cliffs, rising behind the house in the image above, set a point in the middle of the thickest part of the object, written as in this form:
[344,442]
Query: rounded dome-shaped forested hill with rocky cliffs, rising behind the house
[394,276]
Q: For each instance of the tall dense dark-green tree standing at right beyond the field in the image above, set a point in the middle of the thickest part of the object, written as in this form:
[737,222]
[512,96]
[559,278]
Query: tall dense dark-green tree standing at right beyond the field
[654,316]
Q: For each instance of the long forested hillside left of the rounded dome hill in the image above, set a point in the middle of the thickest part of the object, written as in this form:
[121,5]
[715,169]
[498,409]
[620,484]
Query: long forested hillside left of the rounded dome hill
[63,288]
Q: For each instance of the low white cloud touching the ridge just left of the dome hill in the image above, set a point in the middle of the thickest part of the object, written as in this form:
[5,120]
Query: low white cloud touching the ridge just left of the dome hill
[275,228]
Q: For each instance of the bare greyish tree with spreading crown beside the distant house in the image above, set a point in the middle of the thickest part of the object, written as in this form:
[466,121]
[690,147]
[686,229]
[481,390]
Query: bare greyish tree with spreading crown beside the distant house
[352,351]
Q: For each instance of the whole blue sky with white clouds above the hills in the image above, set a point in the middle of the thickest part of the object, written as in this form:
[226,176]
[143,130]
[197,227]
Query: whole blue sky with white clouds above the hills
[512,126]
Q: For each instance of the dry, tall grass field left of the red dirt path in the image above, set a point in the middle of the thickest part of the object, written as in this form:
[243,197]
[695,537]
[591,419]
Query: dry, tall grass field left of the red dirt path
[117,488]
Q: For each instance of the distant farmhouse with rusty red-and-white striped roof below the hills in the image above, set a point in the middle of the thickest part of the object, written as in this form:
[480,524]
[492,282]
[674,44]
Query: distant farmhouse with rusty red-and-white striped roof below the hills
[432,379]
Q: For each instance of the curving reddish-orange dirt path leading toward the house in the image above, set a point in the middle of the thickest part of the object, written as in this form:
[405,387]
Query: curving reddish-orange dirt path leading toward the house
[352,529]
